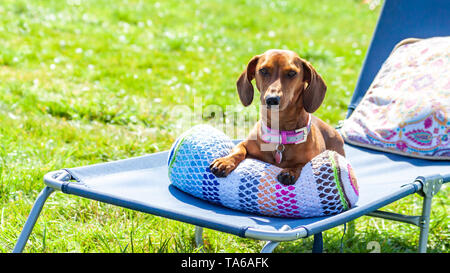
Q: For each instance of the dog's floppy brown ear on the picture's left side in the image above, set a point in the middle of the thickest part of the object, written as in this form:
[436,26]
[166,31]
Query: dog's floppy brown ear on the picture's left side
[244,83]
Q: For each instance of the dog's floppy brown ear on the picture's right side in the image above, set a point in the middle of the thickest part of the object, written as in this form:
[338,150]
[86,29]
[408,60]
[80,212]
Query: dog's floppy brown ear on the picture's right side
[314,93]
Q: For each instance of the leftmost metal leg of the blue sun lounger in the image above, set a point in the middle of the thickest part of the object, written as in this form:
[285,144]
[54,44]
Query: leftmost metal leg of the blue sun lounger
[29,224]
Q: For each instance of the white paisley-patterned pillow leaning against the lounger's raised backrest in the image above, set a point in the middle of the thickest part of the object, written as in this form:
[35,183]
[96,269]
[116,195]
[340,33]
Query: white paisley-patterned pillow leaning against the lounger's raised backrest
[405,110]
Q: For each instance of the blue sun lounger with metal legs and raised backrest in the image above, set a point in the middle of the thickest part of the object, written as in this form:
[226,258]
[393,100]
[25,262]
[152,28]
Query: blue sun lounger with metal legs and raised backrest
[142,183]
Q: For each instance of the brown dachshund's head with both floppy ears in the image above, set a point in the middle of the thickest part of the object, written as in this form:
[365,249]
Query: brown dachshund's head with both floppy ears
[283,79]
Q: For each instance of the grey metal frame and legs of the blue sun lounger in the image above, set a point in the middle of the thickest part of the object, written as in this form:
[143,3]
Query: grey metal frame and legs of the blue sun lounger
[425,186]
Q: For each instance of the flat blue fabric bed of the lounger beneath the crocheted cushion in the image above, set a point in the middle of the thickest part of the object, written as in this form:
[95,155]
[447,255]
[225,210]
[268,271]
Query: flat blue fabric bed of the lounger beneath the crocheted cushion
[142,183]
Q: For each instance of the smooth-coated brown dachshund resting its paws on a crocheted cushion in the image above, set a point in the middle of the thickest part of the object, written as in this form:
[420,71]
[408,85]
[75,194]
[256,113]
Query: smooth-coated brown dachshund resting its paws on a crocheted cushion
[290,90]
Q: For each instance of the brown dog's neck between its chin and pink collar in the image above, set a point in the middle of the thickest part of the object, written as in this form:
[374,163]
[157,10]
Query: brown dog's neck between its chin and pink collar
[288,119]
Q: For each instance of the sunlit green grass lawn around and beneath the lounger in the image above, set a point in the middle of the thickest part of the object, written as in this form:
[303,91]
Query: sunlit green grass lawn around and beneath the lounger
[83,82]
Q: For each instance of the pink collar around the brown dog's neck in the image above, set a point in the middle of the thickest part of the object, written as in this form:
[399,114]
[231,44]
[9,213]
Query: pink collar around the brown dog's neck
[297,136]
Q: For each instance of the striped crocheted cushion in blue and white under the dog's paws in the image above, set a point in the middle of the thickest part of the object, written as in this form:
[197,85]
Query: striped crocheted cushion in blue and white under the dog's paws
[326,185]
